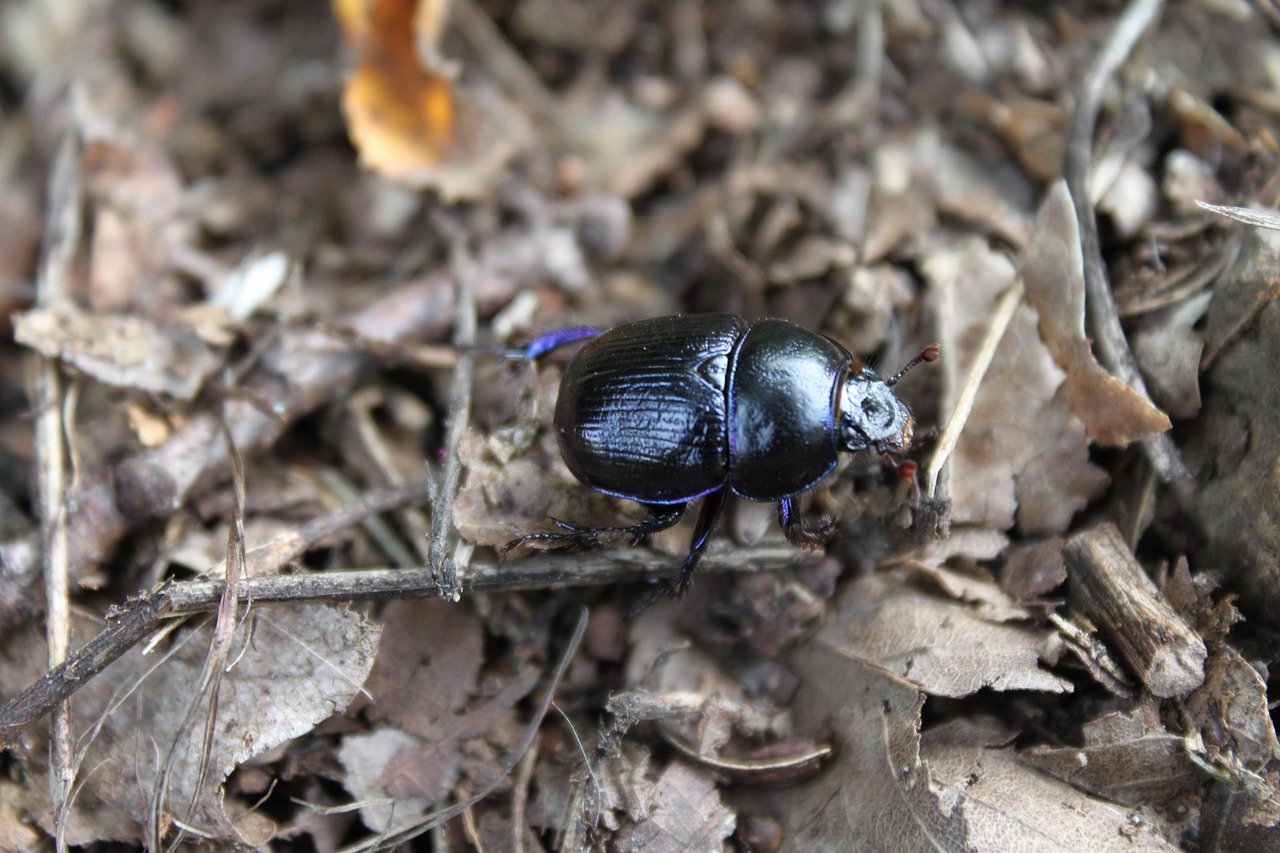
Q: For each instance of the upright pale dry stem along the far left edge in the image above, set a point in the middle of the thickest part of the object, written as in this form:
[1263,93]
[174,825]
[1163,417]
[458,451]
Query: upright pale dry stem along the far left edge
[63,236]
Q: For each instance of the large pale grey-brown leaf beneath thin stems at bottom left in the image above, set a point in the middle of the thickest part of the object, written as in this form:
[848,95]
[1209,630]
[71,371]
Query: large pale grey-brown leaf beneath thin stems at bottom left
[304,664]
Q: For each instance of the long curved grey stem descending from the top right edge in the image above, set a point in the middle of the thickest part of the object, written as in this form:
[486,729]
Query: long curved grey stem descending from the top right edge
[1103,316]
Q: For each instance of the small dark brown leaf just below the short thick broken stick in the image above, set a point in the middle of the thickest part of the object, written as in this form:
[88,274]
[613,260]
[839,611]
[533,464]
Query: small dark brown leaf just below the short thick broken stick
[1127,756]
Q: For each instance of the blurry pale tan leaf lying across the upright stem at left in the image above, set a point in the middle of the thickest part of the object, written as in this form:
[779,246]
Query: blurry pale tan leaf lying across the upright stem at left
[124,352]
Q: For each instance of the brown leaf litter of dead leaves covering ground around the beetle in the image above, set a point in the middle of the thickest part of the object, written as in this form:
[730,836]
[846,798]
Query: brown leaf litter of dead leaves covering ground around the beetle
[277,215]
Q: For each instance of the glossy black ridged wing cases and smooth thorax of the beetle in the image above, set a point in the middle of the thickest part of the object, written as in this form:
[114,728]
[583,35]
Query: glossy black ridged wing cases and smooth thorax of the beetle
[671,409]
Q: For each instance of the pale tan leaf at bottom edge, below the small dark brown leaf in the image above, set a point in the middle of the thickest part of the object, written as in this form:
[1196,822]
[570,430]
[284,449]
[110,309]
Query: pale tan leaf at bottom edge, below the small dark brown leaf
[1008,805]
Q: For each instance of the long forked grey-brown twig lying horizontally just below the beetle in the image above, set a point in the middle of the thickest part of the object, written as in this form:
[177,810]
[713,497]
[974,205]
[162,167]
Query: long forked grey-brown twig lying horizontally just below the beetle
[139,618]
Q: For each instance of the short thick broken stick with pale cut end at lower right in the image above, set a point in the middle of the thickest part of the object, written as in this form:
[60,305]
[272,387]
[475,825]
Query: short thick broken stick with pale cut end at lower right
[1117,595]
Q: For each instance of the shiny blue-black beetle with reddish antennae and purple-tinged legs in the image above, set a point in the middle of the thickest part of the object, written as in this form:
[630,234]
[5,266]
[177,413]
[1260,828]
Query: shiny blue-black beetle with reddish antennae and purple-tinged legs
[674,409]
